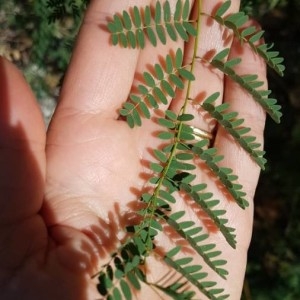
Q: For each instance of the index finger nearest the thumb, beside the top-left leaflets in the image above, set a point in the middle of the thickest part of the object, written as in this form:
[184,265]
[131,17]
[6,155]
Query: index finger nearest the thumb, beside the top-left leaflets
[100,75]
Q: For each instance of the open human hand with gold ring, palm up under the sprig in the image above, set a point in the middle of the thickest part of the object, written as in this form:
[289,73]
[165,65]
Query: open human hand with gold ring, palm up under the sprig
[65,194]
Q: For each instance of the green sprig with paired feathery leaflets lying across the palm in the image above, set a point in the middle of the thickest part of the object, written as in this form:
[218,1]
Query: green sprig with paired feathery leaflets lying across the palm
[172,172]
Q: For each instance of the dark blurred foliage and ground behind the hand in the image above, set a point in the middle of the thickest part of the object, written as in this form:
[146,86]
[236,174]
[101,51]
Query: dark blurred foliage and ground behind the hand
[38,37]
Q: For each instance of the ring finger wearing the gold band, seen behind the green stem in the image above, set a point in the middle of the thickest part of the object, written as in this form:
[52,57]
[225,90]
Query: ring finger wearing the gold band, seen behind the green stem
[212,39]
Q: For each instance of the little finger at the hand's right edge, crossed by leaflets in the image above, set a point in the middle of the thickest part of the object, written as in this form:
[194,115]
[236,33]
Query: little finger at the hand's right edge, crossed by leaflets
[249,110]
